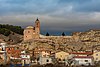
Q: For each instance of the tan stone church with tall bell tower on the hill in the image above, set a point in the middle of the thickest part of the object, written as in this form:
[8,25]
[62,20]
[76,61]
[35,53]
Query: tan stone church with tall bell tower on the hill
[32,32]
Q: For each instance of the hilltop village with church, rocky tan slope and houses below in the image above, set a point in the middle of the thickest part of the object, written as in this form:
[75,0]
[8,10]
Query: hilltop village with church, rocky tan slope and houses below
[81,48]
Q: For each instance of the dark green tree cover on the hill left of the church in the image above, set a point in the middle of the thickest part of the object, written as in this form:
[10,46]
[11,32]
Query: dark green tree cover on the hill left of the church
[6,29]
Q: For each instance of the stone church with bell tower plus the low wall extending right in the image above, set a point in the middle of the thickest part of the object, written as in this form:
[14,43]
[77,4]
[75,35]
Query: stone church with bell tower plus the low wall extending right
[33,32]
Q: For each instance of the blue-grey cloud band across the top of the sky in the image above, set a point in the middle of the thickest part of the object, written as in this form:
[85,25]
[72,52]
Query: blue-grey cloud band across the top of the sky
[47,7]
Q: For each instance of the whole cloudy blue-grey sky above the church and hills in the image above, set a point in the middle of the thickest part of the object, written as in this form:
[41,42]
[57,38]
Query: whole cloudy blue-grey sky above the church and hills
[55,15]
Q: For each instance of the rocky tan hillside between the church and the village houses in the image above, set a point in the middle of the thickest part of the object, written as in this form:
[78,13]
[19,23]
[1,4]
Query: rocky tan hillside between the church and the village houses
[79,41]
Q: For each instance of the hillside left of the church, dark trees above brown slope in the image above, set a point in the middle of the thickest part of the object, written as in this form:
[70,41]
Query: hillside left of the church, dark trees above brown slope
[11,34]
